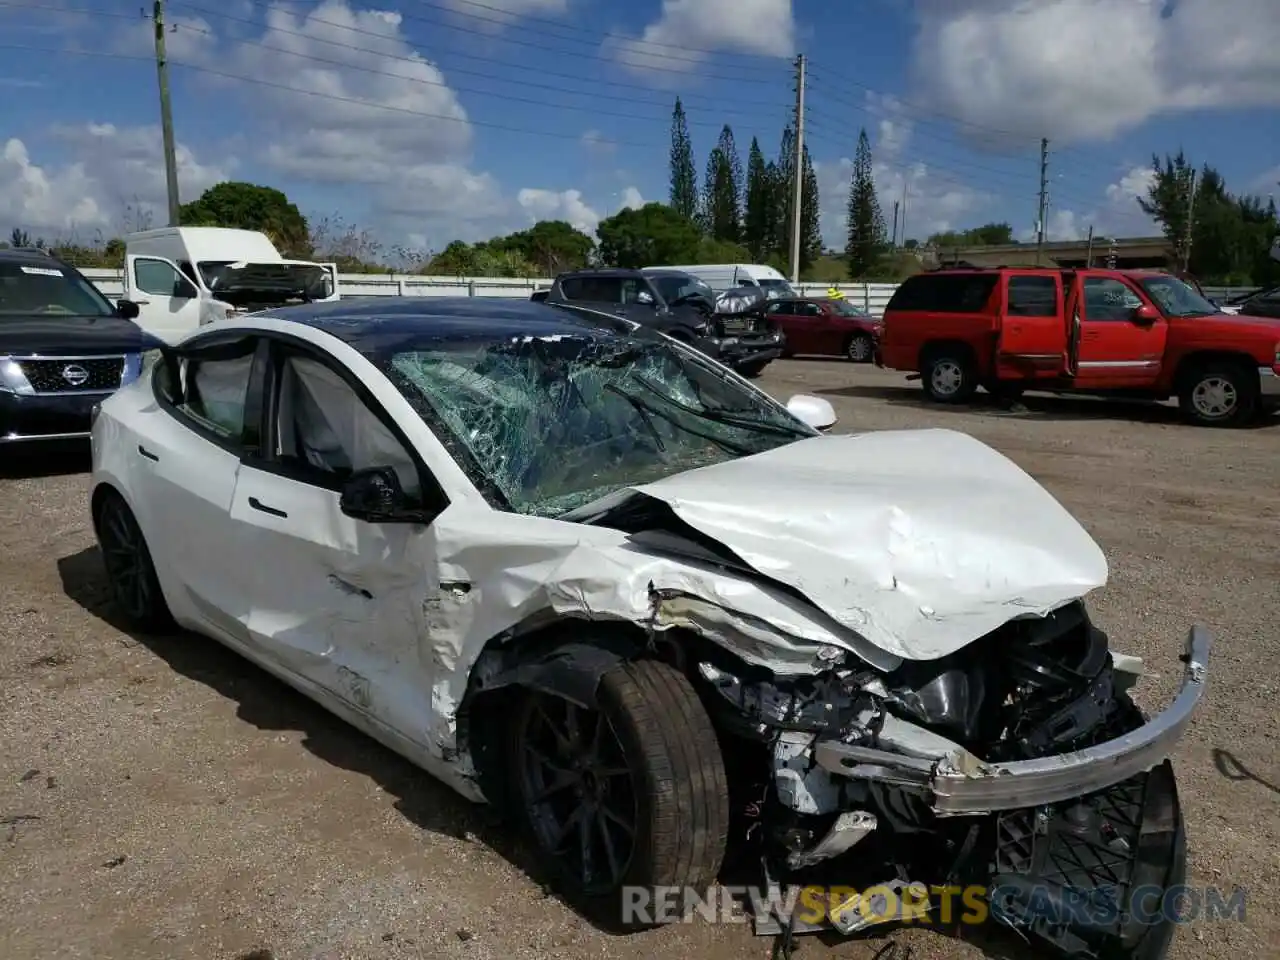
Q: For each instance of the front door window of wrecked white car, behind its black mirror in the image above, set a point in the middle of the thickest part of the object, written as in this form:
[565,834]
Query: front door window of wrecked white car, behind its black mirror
[326,432]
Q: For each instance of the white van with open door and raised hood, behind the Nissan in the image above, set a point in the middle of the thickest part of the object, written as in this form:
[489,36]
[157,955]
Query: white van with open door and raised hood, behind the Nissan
[186,277]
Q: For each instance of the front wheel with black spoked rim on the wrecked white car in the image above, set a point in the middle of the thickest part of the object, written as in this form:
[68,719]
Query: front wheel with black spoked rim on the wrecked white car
[657,765]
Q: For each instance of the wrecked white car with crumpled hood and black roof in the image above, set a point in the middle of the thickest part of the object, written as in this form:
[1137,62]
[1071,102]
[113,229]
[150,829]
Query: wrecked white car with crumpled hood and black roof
[574,568]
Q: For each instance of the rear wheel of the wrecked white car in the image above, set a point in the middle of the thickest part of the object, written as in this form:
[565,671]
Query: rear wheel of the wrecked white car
[130,570]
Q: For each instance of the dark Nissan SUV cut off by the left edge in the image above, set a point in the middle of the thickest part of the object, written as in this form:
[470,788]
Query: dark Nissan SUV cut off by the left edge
[63,349]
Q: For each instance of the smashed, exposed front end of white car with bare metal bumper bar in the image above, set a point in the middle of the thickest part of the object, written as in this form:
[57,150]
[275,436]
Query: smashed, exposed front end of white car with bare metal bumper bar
[1018,762]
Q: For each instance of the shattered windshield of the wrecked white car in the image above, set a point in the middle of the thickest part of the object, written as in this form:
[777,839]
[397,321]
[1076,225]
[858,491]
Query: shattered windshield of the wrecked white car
[555,423]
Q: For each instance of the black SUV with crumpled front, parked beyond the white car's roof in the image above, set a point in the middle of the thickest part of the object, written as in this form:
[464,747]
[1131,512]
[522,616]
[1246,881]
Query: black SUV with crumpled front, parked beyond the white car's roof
[678,305]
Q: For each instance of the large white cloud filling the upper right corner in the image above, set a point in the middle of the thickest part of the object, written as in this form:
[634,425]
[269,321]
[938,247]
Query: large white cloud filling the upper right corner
[1089,70]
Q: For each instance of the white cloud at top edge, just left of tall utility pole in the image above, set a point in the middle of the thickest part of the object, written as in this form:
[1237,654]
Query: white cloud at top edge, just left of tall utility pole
[685,29]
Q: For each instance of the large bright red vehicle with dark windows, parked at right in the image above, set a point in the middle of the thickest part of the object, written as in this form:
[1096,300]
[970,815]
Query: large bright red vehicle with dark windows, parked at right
[1122,333]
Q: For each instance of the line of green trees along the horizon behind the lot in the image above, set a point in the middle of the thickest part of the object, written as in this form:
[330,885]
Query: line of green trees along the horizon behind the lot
[737,217]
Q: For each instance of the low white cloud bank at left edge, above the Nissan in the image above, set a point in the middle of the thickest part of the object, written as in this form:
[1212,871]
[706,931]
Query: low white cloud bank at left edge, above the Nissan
[116,181]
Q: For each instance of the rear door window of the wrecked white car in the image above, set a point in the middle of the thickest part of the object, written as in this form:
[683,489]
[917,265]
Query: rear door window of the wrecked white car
[209,391]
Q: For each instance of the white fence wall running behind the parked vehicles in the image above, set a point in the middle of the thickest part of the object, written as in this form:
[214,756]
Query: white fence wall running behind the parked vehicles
[872,296]
